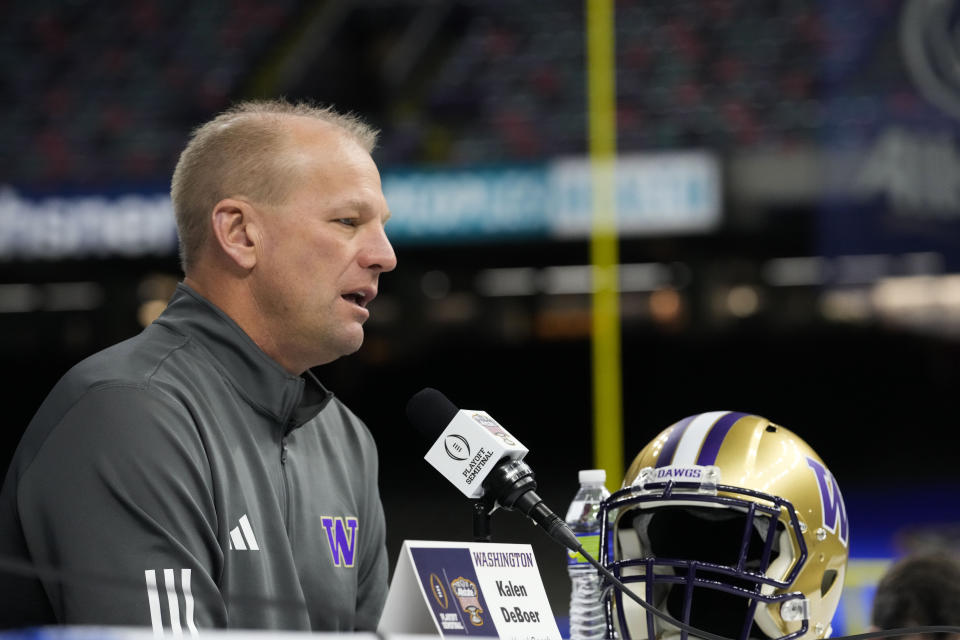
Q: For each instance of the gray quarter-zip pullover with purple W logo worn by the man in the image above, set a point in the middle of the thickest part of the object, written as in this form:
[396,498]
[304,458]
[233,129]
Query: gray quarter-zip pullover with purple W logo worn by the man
[183,479]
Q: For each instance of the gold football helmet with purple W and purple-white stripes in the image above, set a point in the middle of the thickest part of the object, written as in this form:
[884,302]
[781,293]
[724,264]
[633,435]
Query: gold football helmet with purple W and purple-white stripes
[731,524]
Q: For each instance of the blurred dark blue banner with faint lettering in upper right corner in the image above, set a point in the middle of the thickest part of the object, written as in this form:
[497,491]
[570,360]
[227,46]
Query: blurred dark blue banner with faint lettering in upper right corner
[892,144]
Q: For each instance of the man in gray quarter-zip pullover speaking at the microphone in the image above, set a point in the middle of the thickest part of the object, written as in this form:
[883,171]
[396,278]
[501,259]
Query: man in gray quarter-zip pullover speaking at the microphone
[198,475]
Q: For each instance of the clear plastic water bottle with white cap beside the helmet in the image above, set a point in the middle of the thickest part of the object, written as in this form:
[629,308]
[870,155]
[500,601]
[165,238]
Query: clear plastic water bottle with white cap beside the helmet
[586,609]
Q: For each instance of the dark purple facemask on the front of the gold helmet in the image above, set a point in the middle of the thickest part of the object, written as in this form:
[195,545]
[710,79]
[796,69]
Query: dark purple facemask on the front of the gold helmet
[715,561]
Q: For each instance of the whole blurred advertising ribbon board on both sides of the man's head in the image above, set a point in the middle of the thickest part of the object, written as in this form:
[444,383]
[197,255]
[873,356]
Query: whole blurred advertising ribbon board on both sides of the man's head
[664,193]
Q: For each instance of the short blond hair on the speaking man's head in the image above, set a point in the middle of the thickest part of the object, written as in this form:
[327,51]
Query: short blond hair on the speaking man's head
[241,152]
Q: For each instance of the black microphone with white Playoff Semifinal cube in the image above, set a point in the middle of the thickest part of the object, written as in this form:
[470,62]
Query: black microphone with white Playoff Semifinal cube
[478,456]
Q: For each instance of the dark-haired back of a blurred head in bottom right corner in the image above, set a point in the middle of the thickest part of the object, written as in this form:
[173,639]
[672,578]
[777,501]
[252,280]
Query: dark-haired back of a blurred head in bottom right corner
[920,589]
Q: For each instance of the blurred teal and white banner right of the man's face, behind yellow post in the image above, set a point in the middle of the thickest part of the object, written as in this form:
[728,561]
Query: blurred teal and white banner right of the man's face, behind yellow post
[657,193]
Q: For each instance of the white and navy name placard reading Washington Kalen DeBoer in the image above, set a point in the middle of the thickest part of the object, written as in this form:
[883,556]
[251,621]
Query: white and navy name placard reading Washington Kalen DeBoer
[468,589]
